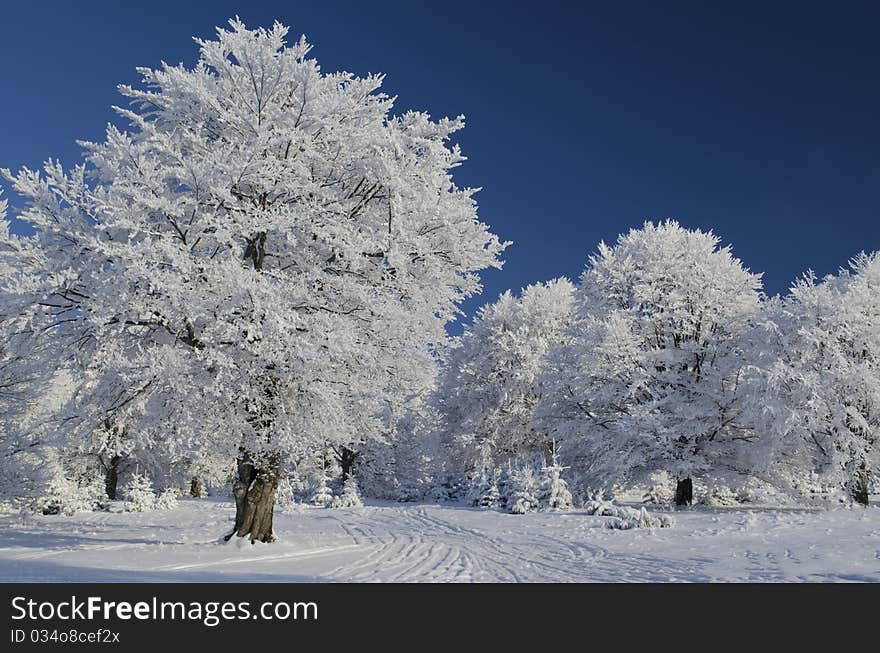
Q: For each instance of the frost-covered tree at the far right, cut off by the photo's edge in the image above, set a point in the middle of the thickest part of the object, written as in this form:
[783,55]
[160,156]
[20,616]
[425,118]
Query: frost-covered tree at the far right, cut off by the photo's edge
[820,407]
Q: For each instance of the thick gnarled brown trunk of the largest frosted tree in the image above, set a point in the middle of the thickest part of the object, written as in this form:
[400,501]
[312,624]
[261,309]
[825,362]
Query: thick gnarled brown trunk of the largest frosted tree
[254,493]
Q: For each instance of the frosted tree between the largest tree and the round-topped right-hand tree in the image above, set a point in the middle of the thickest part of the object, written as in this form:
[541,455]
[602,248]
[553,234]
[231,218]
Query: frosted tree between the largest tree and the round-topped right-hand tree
[491,383]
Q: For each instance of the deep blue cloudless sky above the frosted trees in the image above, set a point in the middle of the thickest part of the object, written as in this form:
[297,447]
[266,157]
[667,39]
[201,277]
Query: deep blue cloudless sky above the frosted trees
[584,119]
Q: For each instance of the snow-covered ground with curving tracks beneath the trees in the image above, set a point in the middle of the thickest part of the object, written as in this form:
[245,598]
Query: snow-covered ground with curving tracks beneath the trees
[427,542]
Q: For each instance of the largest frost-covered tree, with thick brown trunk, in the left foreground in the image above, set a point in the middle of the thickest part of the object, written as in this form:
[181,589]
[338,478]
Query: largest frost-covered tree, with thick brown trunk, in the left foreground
[251,266]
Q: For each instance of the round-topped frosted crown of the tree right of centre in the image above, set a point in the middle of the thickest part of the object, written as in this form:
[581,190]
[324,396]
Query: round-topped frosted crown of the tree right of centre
[651,375]
